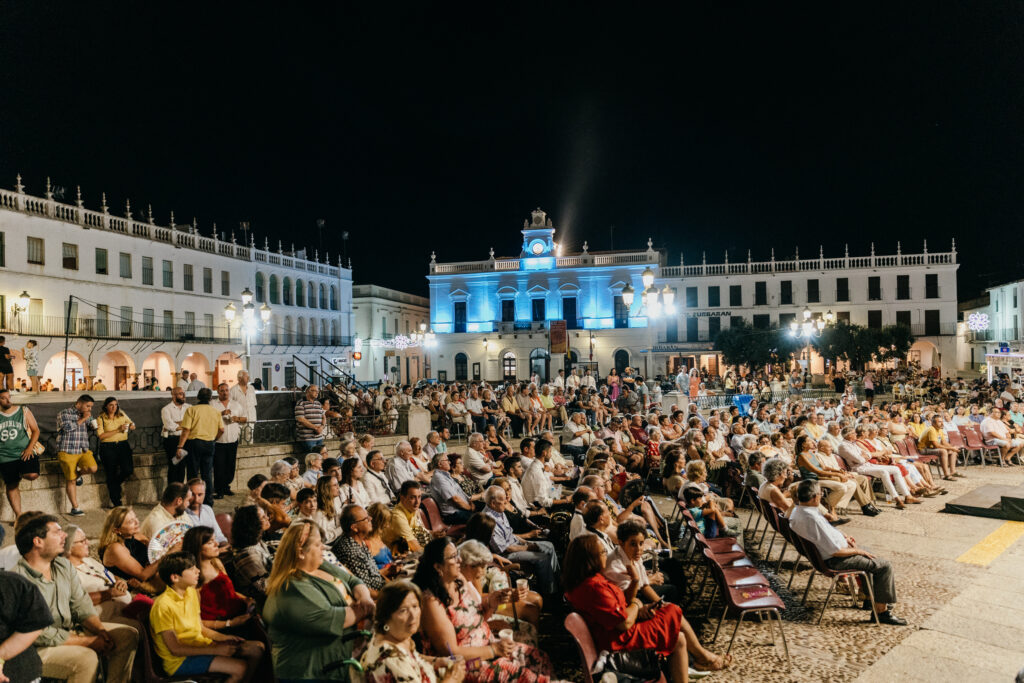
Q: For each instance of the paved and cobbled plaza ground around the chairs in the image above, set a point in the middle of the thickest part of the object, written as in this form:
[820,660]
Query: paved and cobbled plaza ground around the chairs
[961,586]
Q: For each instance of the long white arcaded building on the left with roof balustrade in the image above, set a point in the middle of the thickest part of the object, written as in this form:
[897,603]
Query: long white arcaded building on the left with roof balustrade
[142,301]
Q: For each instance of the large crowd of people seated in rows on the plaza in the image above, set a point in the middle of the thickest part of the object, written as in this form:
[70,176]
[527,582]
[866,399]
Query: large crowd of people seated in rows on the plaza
[441,550]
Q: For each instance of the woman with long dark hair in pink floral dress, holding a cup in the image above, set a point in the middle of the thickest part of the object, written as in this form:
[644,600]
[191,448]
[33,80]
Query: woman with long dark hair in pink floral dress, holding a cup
[455,623]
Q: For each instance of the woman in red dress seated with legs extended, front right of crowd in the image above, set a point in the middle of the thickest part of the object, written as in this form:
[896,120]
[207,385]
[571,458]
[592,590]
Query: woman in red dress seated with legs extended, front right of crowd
[619,621]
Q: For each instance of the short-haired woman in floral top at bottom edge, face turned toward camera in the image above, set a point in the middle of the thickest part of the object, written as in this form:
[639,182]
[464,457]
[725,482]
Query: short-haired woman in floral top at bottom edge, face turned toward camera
[392,657]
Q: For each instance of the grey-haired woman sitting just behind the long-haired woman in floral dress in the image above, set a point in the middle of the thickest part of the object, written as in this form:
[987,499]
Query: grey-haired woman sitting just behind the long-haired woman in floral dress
[480,570]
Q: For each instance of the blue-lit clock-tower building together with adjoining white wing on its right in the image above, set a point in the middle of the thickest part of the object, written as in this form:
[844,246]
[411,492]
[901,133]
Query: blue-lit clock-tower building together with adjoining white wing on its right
[494,319]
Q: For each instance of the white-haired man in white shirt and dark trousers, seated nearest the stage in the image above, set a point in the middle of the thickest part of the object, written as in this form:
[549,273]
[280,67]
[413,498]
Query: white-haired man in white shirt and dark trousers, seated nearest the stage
[841,552]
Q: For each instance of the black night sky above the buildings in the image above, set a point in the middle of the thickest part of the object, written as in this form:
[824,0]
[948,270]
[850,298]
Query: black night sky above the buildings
[416,130]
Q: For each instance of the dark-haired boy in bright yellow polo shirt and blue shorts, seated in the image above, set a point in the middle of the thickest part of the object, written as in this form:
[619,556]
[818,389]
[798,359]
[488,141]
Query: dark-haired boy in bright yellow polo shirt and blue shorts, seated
[186,647]
